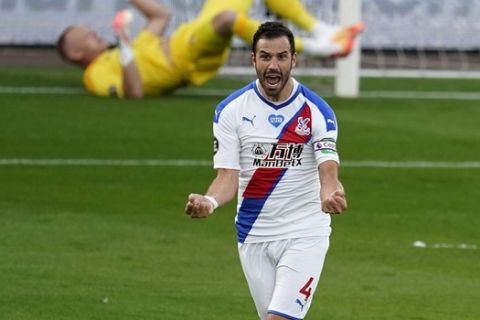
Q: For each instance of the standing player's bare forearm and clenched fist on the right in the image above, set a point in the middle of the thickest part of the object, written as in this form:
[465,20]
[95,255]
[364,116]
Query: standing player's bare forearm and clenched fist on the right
[332,193]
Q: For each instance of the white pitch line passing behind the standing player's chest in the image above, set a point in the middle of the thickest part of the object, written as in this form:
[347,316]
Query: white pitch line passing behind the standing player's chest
[208,163]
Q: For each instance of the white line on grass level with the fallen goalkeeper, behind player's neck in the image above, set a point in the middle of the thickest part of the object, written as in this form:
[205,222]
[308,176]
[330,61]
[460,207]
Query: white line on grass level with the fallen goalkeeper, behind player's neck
[450,95]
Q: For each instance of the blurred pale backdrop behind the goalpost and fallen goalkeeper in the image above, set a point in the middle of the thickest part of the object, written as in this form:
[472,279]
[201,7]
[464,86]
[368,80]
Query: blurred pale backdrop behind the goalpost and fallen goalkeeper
[435,38]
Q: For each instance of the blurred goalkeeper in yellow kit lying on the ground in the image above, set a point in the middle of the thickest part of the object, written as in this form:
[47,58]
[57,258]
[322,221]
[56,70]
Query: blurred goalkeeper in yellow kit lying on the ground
[152,64]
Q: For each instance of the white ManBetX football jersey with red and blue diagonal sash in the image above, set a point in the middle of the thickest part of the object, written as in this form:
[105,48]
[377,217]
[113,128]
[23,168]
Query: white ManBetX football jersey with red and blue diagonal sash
[277,148]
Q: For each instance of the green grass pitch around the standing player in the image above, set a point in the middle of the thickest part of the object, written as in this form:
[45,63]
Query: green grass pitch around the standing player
[112,242]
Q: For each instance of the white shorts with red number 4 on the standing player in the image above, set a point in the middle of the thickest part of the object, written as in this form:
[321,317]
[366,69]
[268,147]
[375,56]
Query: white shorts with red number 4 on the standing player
[282,275]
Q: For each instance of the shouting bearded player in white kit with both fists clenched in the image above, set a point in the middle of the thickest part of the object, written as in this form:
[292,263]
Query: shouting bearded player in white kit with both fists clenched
[275,148]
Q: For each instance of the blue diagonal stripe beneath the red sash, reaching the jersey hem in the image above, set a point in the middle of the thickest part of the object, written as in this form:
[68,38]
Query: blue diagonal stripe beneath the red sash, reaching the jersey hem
[250,209]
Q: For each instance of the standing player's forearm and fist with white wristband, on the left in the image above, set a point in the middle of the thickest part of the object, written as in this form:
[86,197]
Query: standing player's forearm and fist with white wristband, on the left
[221,191]
